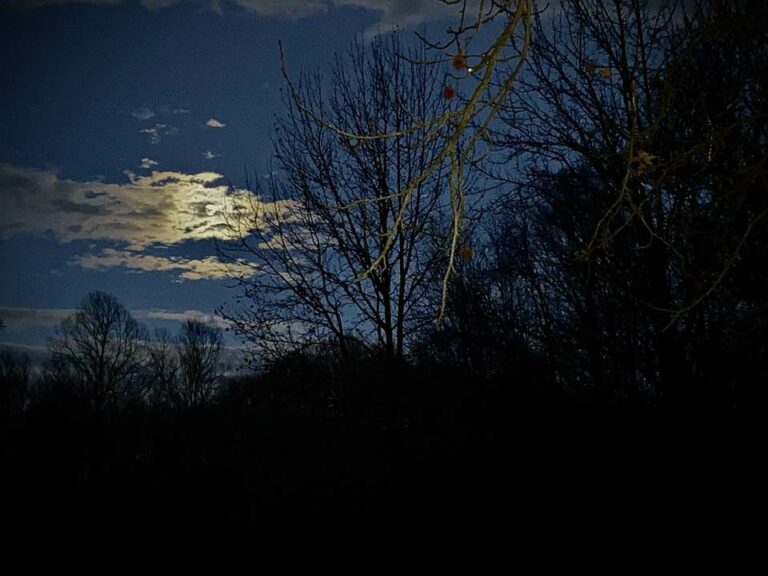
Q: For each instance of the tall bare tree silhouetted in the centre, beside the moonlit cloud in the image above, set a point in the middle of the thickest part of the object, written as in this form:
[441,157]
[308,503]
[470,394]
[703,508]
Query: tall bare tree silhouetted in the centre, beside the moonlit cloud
[335,202]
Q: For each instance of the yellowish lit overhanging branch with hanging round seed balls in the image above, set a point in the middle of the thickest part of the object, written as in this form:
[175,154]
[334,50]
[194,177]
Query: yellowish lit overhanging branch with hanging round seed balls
[485,51]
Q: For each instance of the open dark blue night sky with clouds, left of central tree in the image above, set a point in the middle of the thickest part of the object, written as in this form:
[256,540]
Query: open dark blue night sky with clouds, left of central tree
[124,123]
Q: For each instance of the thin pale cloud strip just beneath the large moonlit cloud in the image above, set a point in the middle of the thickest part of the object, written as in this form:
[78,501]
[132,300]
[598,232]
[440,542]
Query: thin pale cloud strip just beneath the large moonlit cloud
[209,268]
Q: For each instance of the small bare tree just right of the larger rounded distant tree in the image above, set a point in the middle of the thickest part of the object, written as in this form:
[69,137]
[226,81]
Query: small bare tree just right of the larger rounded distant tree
[200,350]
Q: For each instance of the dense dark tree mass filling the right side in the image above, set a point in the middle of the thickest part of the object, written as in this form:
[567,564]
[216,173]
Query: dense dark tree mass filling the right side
[631,250]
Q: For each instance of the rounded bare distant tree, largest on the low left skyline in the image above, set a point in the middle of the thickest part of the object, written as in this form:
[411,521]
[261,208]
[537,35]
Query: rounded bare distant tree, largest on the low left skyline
[99,348]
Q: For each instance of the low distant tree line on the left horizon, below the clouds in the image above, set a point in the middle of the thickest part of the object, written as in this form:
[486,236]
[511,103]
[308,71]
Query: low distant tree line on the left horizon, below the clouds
[103,357]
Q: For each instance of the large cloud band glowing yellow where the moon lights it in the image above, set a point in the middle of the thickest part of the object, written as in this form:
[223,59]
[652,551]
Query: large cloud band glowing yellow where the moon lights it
[163,208]
